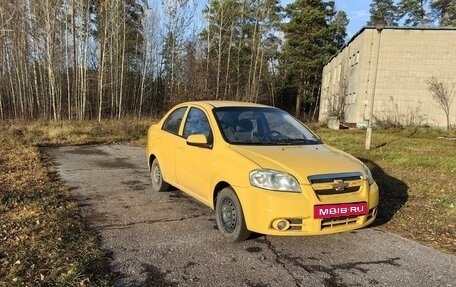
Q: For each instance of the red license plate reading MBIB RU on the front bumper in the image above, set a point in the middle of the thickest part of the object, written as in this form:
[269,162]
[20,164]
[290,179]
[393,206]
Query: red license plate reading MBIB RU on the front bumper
[340,210]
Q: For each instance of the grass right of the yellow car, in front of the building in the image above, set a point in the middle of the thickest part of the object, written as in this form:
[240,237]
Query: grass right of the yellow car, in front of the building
[416,172]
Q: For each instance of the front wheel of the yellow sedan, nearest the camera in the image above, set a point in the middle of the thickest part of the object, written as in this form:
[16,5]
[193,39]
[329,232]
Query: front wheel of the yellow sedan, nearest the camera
[229,215]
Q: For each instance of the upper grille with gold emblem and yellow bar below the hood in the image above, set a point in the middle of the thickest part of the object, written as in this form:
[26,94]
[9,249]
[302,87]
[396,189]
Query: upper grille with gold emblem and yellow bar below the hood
[336,183]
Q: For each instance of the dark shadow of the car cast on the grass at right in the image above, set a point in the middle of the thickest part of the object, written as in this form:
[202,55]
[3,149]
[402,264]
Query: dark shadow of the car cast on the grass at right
[393,193]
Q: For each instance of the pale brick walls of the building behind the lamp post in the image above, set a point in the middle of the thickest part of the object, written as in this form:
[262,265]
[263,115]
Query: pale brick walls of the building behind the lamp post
[408,58]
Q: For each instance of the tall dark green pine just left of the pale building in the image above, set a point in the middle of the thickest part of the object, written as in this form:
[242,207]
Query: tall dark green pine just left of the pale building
[309,37]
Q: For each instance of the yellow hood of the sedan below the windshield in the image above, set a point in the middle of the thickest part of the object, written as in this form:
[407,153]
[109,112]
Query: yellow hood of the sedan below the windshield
[301,161]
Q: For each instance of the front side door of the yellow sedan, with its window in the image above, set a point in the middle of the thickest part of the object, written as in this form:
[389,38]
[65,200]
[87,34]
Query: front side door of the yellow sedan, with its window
[194,164]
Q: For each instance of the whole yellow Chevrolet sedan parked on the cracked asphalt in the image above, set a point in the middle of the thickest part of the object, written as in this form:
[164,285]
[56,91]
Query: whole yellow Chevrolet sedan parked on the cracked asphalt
[260,169]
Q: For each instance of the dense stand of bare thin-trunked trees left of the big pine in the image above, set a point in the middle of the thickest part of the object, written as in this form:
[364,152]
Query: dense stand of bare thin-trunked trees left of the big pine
[95,59]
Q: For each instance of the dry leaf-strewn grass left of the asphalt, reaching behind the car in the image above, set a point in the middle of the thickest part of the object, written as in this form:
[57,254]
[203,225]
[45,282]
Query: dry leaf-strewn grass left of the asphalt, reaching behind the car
[43,240]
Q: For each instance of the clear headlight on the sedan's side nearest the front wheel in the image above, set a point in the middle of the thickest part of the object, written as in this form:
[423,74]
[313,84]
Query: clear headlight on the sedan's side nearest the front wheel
[274,180]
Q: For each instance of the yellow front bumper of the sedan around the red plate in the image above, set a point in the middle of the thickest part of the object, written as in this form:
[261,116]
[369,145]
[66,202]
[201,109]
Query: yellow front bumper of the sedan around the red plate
[264,209]
